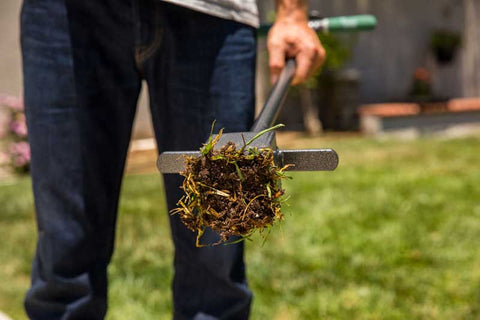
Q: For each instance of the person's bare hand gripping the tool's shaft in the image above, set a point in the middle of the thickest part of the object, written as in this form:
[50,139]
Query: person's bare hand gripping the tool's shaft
[291,37]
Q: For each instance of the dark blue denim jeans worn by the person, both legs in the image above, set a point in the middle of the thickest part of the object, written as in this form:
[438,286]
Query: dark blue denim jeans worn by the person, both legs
[83,66]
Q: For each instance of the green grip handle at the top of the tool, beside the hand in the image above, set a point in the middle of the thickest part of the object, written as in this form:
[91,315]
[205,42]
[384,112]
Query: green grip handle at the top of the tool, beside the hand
[363,22]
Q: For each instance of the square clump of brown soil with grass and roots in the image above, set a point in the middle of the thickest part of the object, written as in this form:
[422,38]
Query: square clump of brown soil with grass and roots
[232,190]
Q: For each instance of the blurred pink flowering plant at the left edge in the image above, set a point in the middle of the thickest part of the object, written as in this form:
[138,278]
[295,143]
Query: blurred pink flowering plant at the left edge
[16,153]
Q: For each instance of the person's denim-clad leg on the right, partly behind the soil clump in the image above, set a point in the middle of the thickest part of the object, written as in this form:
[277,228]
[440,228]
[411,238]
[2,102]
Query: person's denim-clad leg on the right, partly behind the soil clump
[203,70]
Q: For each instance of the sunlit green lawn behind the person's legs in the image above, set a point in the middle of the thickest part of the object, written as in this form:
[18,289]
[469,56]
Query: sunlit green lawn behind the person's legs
[394,233]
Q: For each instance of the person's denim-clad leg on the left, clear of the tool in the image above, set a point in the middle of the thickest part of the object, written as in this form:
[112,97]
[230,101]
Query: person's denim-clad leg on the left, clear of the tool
[81,88]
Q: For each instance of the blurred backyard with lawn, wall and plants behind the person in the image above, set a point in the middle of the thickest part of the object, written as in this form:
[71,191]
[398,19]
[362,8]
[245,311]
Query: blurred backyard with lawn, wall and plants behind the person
[393,233]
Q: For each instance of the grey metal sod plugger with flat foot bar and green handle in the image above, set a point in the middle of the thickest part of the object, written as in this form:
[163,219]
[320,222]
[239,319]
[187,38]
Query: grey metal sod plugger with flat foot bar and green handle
[300,159]
